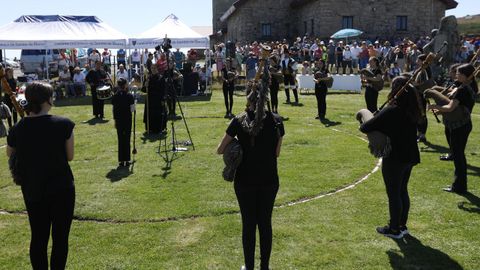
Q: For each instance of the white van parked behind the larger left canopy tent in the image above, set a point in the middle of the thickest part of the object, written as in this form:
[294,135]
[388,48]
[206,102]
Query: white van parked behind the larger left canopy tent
[33,60]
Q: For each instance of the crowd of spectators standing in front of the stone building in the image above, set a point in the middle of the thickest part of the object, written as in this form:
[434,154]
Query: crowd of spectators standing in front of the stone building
[342,56]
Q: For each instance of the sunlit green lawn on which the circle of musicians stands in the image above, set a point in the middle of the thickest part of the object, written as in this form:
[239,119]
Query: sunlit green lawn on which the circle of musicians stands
[186,217]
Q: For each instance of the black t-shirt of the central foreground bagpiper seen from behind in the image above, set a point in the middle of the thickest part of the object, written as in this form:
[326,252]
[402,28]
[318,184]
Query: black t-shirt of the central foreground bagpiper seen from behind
[259,163]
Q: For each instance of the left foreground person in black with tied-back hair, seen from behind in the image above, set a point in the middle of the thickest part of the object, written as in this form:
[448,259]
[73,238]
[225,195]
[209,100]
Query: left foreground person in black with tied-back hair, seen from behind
[46,178]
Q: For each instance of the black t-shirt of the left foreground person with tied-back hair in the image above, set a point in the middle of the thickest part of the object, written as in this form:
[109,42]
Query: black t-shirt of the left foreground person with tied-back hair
[39,143]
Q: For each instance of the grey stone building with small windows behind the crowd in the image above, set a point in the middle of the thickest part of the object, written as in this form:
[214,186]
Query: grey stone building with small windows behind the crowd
[248,20]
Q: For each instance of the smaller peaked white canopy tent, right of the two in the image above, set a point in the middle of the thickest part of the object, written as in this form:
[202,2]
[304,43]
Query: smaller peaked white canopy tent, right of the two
[179,33]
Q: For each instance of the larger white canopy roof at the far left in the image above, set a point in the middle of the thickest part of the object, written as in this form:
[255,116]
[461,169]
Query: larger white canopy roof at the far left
[56,32]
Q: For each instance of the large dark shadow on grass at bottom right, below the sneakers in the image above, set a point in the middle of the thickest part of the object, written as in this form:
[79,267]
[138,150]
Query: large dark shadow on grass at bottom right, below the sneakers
[418,256]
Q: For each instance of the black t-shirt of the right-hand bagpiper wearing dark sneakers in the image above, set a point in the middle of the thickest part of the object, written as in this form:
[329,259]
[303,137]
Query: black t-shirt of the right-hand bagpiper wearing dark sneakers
[393,122]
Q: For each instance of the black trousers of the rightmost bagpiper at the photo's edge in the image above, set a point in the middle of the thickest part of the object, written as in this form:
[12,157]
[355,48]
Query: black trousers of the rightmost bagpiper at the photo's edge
[458,142]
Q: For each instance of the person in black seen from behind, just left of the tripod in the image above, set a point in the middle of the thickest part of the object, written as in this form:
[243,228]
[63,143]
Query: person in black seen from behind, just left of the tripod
[123,106]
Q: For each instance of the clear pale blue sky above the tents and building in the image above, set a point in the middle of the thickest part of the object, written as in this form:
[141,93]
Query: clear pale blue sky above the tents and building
[134,17]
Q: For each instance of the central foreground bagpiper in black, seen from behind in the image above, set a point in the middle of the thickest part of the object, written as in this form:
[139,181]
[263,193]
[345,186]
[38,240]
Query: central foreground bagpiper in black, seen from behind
[256,180]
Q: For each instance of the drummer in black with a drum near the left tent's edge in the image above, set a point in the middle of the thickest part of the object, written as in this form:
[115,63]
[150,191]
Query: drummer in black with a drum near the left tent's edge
[97,77]
